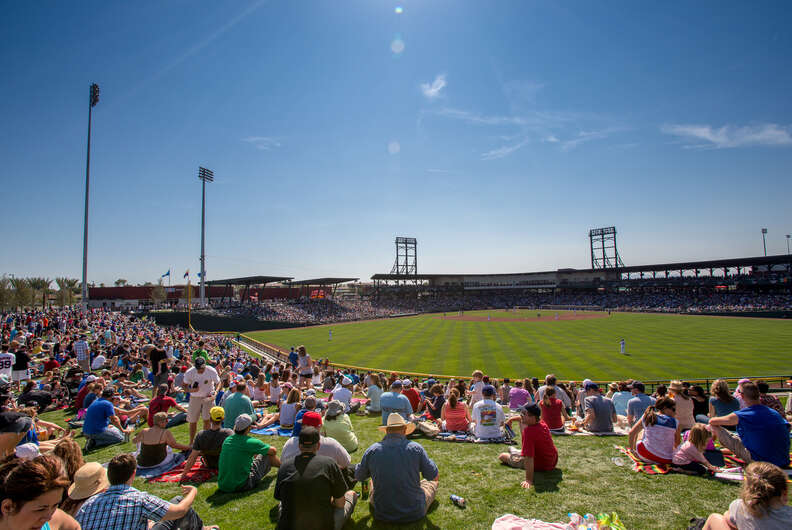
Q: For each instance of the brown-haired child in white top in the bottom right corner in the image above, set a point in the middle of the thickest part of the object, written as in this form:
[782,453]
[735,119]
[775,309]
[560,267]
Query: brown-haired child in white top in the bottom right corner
[763,502]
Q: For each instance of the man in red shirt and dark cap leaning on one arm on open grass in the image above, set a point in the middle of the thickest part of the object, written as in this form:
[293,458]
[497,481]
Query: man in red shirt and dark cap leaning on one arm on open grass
[538,451]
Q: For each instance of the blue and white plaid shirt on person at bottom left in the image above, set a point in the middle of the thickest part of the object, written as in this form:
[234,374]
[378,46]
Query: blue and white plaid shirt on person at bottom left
[121,508]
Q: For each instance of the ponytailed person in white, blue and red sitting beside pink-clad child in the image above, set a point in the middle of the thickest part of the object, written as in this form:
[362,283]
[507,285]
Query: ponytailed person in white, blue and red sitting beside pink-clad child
[661,433]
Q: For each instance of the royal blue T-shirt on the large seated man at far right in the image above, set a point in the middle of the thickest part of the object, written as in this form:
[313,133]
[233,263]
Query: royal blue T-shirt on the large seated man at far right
[765,434]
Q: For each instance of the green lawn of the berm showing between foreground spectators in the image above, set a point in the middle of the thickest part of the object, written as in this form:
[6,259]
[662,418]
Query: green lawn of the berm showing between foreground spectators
[586,481]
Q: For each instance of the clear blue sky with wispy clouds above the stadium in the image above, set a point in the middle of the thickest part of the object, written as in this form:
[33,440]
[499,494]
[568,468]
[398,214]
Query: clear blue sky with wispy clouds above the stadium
[497,133]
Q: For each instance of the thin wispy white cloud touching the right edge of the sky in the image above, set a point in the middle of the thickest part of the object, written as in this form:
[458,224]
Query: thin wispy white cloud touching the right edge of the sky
[729,136]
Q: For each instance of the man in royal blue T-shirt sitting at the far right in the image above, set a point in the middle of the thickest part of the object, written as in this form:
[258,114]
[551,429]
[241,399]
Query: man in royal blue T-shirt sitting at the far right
[762,433]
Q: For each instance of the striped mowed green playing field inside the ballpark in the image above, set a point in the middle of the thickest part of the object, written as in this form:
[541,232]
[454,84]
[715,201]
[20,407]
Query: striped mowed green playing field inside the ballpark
[659,346]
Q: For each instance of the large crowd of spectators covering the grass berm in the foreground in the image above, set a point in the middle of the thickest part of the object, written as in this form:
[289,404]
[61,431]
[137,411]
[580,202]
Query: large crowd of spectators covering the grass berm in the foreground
[103,366]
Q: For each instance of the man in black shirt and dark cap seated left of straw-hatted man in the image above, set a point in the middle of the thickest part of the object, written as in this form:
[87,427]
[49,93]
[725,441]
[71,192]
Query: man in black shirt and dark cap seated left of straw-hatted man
[312,489]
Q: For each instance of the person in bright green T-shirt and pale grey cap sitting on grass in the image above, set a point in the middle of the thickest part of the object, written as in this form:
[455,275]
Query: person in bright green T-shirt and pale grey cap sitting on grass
[244,460]
